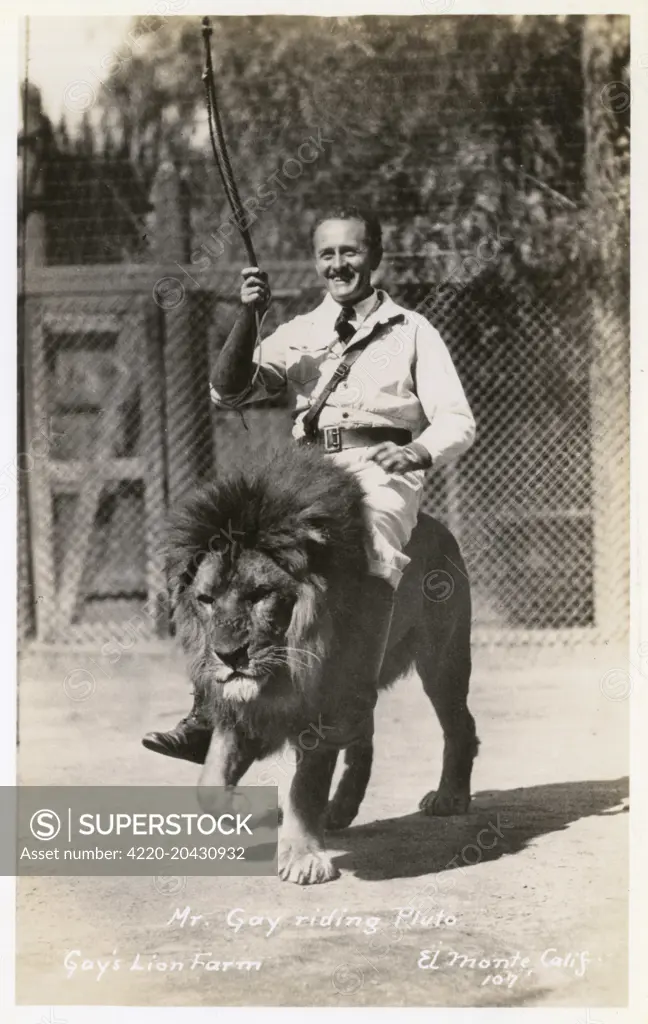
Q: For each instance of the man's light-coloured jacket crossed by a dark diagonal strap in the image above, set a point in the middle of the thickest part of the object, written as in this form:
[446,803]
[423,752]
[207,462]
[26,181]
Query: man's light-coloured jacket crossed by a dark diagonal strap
[405,378]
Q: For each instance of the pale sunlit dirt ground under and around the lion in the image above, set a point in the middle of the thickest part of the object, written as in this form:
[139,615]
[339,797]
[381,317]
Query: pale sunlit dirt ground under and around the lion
[537,873]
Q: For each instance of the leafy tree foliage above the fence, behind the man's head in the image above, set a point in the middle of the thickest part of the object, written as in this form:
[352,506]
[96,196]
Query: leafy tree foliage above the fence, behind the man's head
[452,129]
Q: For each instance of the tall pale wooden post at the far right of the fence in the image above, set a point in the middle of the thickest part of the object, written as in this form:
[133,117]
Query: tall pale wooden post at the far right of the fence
[606,179]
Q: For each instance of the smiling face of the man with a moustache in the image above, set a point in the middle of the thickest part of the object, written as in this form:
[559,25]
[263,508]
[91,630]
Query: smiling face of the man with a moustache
[344,260]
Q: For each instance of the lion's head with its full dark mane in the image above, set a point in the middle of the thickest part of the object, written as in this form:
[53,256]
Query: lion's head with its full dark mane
[265,567]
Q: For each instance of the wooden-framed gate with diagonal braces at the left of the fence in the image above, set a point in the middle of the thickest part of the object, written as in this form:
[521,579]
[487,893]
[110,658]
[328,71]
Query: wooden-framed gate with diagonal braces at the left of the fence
[95,436]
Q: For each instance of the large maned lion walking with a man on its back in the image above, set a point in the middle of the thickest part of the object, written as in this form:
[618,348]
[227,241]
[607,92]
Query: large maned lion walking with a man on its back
[267,571]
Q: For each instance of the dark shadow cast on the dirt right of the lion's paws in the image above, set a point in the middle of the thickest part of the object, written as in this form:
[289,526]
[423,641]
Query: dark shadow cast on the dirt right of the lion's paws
[500,824]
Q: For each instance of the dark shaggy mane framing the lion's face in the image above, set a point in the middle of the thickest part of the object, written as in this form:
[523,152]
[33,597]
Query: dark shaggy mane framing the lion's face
[307,514]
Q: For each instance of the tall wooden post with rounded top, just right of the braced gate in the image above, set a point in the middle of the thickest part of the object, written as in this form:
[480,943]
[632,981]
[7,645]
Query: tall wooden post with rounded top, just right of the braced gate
[186,350]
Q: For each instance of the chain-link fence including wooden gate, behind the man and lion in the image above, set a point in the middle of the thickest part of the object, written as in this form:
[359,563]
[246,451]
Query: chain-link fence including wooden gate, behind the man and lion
[540,503]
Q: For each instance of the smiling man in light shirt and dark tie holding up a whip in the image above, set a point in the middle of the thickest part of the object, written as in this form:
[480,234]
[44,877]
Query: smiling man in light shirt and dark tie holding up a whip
[370,381]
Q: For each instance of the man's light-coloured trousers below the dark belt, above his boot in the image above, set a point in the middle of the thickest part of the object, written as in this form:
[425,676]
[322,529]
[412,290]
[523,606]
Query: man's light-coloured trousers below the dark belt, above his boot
[393,503]
